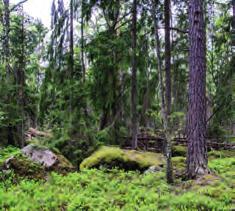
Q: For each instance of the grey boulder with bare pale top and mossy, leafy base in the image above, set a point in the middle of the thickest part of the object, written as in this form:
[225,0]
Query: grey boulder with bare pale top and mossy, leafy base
[33,162]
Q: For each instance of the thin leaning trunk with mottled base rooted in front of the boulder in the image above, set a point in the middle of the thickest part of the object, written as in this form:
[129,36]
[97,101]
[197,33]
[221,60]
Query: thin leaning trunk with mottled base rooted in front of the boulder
[168,153]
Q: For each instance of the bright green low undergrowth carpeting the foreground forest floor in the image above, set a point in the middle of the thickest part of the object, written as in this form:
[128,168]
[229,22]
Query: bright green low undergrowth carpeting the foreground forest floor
[118,190]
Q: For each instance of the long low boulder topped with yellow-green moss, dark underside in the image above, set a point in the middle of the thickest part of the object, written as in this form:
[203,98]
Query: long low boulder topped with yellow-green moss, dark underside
[113,157]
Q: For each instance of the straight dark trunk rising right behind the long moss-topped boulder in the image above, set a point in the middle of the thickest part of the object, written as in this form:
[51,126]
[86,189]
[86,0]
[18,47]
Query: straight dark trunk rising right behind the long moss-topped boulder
[134,77]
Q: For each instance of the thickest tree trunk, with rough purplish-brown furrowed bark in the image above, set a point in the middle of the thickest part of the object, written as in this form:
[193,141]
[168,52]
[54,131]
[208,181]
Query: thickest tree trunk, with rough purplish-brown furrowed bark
[196,118]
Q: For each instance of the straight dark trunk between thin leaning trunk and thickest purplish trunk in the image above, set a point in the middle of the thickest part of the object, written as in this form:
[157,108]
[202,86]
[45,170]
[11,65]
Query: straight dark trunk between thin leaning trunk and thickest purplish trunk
[167,54]
